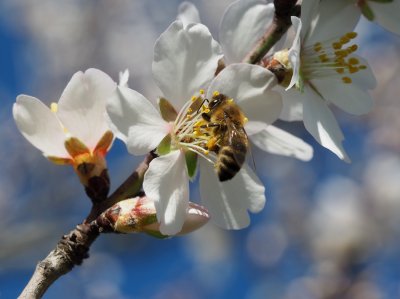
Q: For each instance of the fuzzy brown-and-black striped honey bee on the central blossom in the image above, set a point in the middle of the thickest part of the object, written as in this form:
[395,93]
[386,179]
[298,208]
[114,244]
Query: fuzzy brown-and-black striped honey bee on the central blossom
[228,138]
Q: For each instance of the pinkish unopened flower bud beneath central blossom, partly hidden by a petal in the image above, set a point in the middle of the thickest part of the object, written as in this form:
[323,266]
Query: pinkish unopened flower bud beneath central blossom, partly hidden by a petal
[136,215]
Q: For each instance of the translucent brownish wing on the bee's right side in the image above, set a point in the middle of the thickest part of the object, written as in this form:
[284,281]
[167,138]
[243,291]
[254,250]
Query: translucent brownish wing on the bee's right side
[238,140]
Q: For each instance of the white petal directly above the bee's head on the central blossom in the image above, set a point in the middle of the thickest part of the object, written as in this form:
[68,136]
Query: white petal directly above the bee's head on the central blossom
[250,86]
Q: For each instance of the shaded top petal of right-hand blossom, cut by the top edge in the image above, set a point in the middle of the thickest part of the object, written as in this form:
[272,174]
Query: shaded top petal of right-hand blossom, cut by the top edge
[328,25]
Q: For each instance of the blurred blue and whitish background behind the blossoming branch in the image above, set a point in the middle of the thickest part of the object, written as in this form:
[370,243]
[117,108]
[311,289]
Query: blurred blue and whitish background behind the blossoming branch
[329,229]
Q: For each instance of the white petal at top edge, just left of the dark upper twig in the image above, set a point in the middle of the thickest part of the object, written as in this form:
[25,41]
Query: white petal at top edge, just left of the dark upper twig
[243,24]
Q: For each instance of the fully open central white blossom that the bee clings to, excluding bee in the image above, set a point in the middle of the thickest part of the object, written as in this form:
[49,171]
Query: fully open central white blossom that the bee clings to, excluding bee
[185,61]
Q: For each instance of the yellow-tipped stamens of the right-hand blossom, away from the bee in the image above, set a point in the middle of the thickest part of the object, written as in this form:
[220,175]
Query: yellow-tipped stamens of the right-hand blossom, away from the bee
[331,59]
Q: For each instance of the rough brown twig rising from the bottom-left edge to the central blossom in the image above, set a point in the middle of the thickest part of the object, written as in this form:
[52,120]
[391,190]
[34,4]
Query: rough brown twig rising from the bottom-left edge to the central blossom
[74,247]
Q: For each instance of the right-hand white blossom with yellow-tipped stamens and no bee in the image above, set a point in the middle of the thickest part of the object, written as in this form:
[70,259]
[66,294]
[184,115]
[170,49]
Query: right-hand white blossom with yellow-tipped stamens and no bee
[325,70]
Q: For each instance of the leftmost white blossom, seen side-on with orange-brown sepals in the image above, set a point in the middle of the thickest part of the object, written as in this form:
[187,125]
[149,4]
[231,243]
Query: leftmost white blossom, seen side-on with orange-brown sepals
[75,130]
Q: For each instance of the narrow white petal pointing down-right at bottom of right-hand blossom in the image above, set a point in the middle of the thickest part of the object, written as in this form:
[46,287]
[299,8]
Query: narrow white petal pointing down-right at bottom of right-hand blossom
[321,123]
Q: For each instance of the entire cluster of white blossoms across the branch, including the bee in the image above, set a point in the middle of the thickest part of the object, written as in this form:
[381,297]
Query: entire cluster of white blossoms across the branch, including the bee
[214,105]
